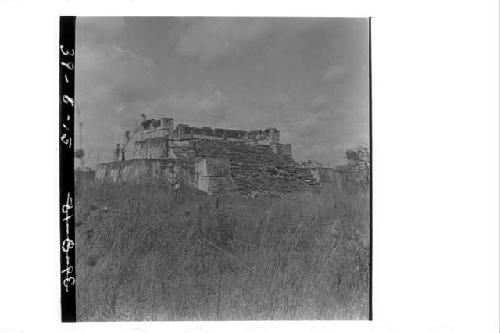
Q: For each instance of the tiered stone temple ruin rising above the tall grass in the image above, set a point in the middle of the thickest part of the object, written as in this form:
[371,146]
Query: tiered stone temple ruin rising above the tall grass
[213,160]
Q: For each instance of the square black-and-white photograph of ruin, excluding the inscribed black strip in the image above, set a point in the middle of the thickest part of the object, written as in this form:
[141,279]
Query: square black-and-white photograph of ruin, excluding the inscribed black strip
[222,168]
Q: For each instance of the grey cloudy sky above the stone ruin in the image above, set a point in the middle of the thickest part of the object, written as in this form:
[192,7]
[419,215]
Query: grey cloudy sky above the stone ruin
[308,77]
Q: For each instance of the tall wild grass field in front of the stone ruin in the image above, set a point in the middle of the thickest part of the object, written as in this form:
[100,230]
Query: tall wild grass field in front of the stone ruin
[144,253]
